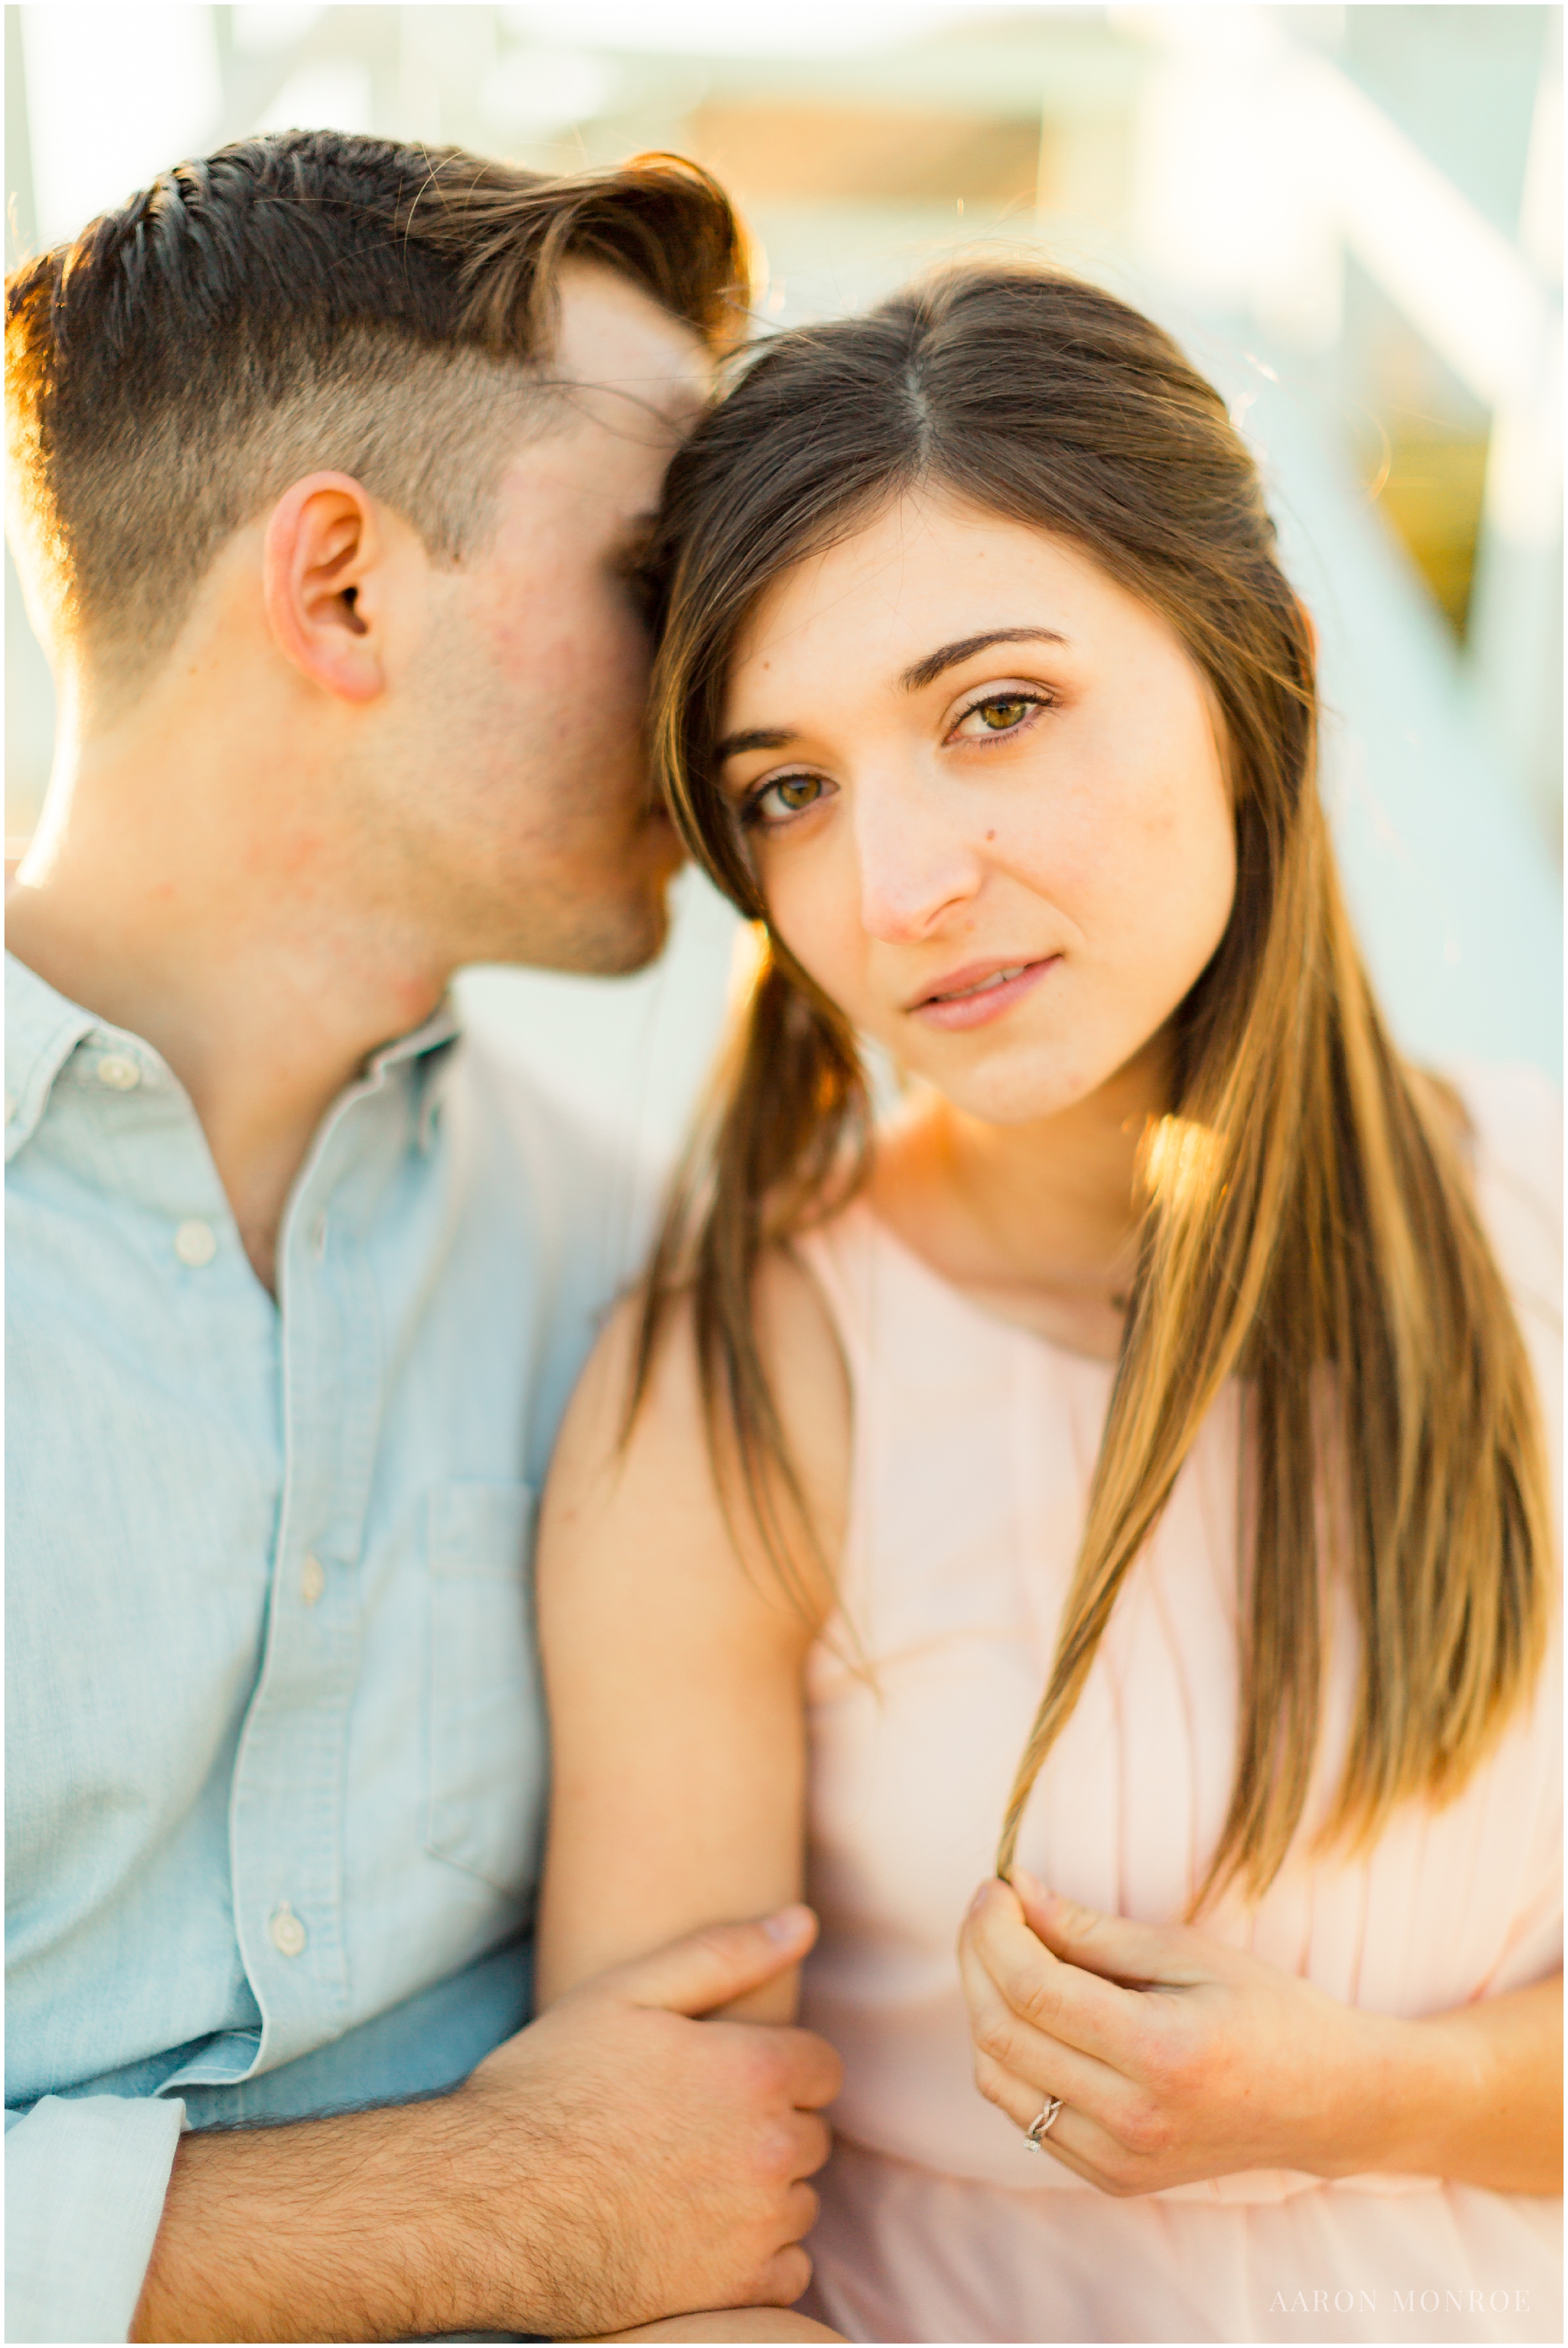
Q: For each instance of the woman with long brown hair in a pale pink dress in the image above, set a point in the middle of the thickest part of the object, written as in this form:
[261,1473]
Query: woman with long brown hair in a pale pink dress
[1175,1351]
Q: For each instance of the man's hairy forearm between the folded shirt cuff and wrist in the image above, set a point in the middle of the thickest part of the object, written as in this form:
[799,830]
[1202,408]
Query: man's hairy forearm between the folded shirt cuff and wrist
[325,2229]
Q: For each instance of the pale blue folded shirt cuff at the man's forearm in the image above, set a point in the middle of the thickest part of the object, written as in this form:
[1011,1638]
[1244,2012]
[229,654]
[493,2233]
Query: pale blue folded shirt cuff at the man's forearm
[86,2185]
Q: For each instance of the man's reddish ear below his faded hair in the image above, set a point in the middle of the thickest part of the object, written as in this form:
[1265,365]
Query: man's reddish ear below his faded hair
[323,558]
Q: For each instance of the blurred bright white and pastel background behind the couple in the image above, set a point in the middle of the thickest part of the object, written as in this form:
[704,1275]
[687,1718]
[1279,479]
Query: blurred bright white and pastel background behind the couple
[1349,215]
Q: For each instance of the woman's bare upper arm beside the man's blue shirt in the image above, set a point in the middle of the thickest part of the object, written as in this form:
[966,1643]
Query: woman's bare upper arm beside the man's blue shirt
[673,1661]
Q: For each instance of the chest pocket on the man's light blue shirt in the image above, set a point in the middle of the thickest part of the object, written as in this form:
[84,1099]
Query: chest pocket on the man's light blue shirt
[485,1703]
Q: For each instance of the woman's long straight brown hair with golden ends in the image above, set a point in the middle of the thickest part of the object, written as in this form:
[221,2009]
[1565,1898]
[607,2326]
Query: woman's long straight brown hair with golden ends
[1309,1224]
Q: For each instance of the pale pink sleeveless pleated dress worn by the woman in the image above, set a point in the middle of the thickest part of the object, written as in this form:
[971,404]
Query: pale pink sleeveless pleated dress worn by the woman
[973,1455]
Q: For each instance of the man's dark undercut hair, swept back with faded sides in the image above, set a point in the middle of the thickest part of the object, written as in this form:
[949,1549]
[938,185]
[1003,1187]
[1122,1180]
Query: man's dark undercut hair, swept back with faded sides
[297,304]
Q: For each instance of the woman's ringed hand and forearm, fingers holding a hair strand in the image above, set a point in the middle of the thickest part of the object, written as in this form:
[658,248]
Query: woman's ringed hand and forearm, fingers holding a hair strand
[1180,2058]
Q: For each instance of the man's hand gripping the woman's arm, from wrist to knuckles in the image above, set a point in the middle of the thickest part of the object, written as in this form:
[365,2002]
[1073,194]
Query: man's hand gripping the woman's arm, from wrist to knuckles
[644,2161]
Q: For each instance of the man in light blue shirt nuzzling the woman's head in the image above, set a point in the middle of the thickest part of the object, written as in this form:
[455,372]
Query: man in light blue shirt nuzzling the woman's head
[330,473]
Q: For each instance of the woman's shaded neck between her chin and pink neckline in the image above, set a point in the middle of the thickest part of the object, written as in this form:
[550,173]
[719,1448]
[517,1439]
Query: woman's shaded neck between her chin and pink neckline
[1036,1222]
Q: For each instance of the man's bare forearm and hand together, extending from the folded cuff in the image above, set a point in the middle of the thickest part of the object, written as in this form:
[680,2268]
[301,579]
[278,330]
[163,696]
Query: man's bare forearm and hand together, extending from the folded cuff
[614,2164]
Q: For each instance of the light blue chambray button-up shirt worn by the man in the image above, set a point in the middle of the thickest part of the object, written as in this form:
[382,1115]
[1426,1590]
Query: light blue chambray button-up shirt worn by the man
[276,1750]
